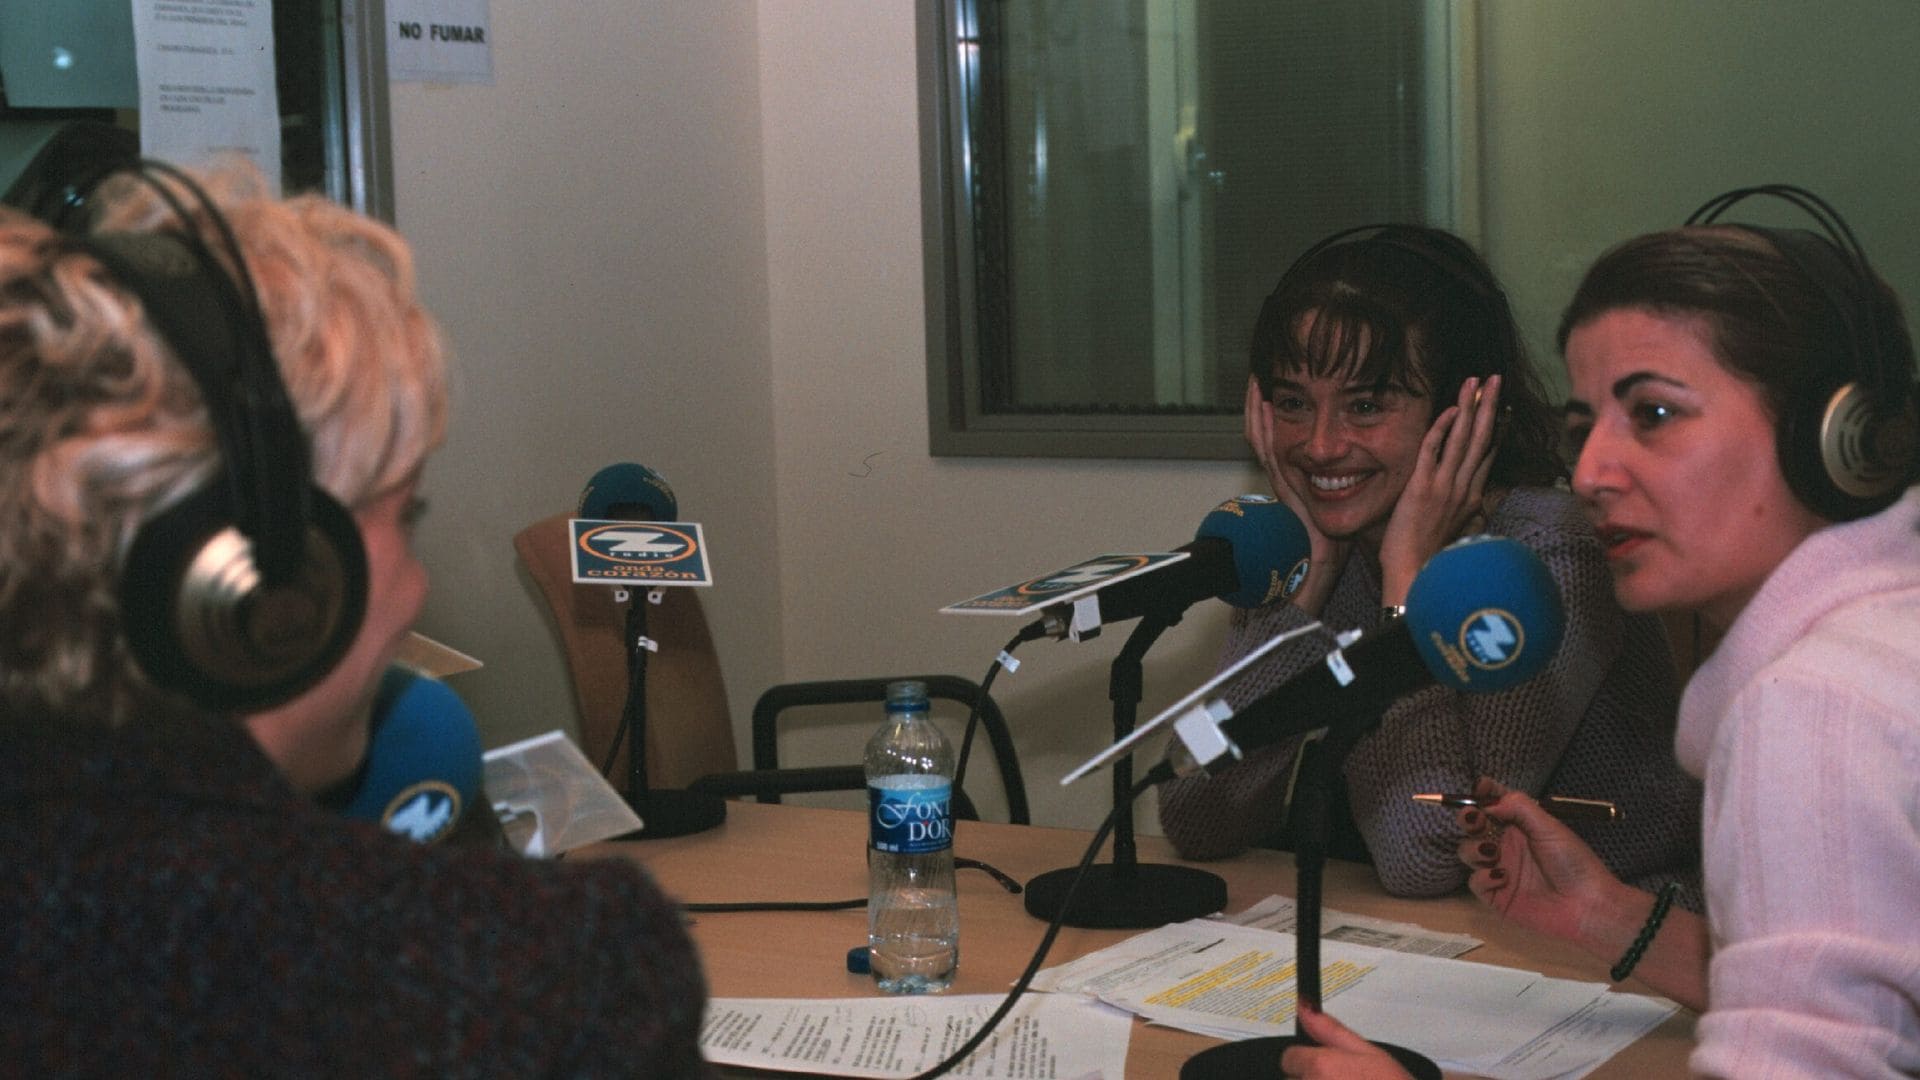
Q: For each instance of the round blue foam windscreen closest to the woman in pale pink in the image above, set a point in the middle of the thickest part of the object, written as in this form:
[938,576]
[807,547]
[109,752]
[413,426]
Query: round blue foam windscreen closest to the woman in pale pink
[1485,614]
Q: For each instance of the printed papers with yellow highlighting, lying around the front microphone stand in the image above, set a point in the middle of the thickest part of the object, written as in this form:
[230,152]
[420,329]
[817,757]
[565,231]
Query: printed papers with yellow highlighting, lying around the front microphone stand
[1236,983]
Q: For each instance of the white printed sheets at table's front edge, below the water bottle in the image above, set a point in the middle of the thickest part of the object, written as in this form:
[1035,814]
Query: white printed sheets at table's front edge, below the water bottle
[1044,1039]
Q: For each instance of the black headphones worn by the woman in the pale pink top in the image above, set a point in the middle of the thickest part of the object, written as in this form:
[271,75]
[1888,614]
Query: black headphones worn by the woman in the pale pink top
[1848,451]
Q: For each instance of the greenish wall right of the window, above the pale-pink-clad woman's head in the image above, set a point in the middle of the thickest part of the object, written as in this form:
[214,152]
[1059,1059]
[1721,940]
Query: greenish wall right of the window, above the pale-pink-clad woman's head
[1612,120]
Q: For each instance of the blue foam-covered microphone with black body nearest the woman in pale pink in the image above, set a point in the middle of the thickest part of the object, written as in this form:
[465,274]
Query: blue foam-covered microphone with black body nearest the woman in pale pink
[1483,616]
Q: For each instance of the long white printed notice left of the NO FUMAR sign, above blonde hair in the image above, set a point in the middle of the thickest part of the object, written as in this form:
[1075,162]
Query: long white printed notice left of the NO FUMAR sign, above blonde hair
[208,82]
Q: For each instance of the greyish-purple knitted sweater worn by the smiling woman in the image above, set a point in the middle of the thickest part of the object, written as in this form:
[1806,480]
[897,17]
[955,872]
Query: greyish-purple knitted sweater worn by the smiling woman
[1596,724]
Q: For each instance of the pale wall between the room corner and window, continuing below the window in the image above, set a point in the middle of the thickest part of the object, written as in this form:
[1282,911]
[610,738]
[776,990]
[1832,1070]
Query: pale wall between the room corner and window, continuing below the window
[875,533]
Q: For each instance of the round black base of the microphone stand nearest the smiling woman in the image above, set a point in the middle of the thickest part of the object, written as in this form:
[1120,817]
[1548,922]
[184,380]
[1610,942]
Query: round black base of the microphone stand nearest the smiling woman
[1134,898]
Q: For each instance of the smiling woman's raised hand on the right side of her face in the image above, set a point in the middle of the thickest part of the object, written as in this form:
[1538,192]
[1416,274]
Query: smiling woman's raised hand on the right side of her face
[1445,491]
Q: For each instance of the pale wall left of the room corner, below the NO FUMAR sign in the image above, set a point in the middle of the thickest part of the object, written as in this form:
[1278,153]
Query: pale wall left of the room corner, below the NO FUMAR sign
[592,233]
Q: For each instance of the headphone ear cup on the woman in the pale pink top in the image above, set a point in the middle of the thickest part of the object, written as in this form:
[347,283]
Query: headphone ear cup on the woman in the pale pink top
[1840,458]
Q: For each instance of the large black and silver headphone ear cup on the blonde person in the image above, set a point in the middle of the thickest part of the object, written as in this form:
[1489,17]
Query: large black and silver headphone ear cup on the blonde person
[201,620]
